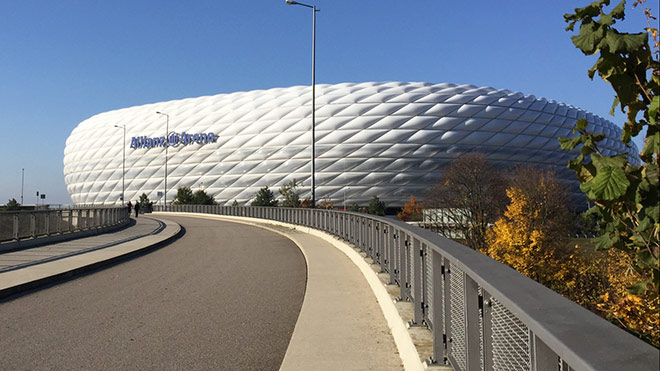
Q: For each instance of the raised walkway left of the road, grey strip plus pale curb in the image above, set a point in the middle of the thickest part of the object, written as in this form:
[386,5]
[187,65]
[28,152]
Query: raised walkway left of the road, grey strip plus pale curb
[30,268]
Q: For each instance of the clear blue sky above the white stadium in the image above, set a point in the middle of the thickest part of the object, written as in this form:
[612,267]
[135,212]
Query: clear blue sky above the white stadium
[64,61]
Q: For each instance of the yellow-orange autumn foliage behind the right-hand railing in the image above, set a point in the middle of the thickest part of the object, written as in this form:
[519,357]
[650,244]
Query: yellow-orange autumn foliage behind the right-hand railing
[598,280]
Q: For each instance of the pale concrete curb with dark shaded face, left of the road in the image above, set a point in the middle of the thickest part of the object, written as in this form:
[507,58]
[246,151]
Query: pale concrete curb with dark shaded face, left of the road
[28,278]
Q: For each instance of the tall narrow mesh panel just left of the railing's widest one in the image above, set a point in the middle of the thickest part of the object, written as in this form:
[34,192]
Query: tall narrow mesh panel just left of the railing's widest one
[458,349]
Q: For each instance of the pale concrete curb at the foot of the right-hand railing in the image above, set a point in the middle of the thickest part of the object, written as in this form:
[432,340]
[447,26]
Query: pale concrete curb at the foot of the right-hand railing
[404,343]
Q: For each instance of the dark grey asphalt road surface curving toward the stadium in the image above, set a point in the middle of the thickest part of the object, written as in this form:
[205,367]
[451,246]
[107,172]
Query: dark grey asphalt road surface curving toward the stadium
[225,296]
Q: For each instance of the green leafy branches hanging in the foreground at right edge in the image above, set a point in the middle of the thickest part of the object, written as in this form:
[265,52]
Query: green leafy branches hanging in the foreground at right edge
[625,194]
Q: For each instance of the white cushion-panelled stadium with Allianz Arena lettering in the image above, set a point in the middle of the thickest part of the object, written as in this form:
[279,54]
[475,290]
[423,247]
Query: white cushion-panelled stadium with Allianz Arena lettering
[390,140]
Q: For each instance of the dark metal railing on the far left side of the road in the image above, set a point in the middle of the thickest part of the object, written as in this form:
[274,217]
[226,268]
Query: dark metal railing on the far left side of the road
[18,226]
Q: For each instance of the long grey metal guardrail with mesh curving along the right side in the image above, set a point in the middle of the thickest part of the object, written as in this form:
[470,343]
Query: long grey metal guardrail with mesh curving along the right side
[483,315]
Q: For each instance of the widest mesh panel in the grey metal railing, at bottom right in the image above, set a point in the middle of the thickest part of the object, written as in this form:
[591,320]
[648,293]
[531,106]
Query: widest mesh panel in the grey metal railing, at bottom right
[510,340]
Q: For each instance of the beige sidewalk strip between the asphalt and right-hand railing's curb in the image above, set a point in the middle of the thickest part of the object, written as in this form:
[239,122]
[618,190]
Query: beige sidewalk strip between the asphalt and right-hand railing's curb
[341,325]
